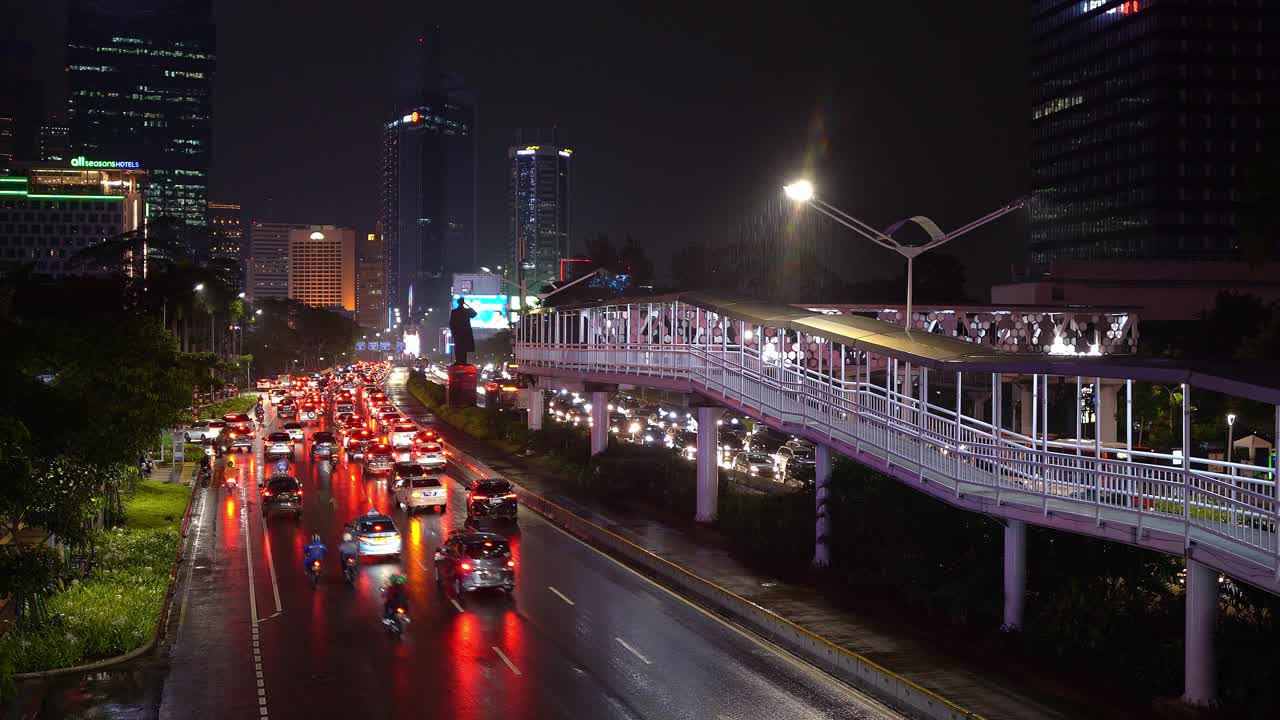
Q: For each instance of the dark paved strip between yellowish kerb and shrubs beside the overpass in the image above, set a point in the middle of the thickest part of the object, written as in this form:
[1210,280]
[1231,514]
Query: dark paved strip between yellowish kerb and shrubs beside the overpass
[984,694]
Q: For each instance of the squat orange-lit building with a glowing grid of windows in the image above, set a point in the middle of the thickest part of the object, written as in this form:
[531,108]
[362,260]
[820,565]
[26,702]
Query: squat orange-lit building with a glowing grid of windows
[323,267]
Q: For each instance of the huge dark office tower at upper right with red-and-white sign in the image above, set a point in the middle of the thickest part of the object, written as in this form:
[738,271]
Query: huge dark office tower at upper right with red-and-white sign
[1145,121]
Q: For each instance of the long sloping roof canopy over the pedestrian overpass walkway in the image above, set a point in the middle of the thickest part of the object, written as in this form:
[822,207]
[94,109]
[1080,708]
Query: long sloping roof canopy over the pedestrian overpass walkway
[941,353]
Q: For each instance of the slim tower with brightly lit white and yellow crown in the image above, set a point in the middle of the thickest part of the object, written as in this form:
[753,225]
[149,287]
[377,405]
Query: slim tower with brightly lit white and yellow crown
[540,206]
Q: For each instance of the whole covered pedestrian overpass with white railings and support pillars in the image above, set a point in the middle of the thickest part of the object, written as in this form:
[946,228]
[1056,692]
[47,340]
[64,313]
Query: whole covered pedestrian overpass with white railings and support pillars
[931,412]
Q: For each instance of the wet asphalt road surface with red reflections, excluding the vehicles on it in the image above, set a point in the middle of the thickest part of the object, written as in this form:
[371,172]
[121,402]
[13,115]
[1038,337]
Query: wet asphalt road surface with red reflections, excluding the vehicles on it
[580,637]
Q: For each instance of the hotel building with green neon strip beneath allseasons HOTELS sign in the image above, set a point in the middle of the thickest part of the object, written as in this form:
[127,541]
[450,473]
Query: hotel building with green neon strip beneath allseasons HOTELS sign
[48,215]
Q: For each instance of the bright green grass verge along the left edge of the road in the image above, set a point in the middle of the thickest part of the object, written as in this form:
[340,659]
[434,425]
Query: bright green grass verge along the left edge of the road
[116,608]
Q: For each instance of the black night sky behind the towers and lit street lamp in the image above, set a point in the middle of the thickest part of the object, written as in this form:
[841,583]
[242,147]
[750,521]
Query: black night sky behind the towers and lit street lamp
[684,122]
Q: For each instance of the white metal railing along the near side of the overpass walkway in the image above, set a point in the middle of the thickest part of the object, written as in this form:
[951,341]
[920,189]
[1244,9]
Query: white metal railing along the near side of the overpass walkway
[944,446]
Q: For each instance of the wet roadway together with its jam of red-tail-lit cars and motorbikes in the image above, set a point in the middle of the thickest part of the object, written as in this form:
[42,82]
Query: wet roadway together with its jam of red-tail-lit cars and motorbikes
[348,562]
